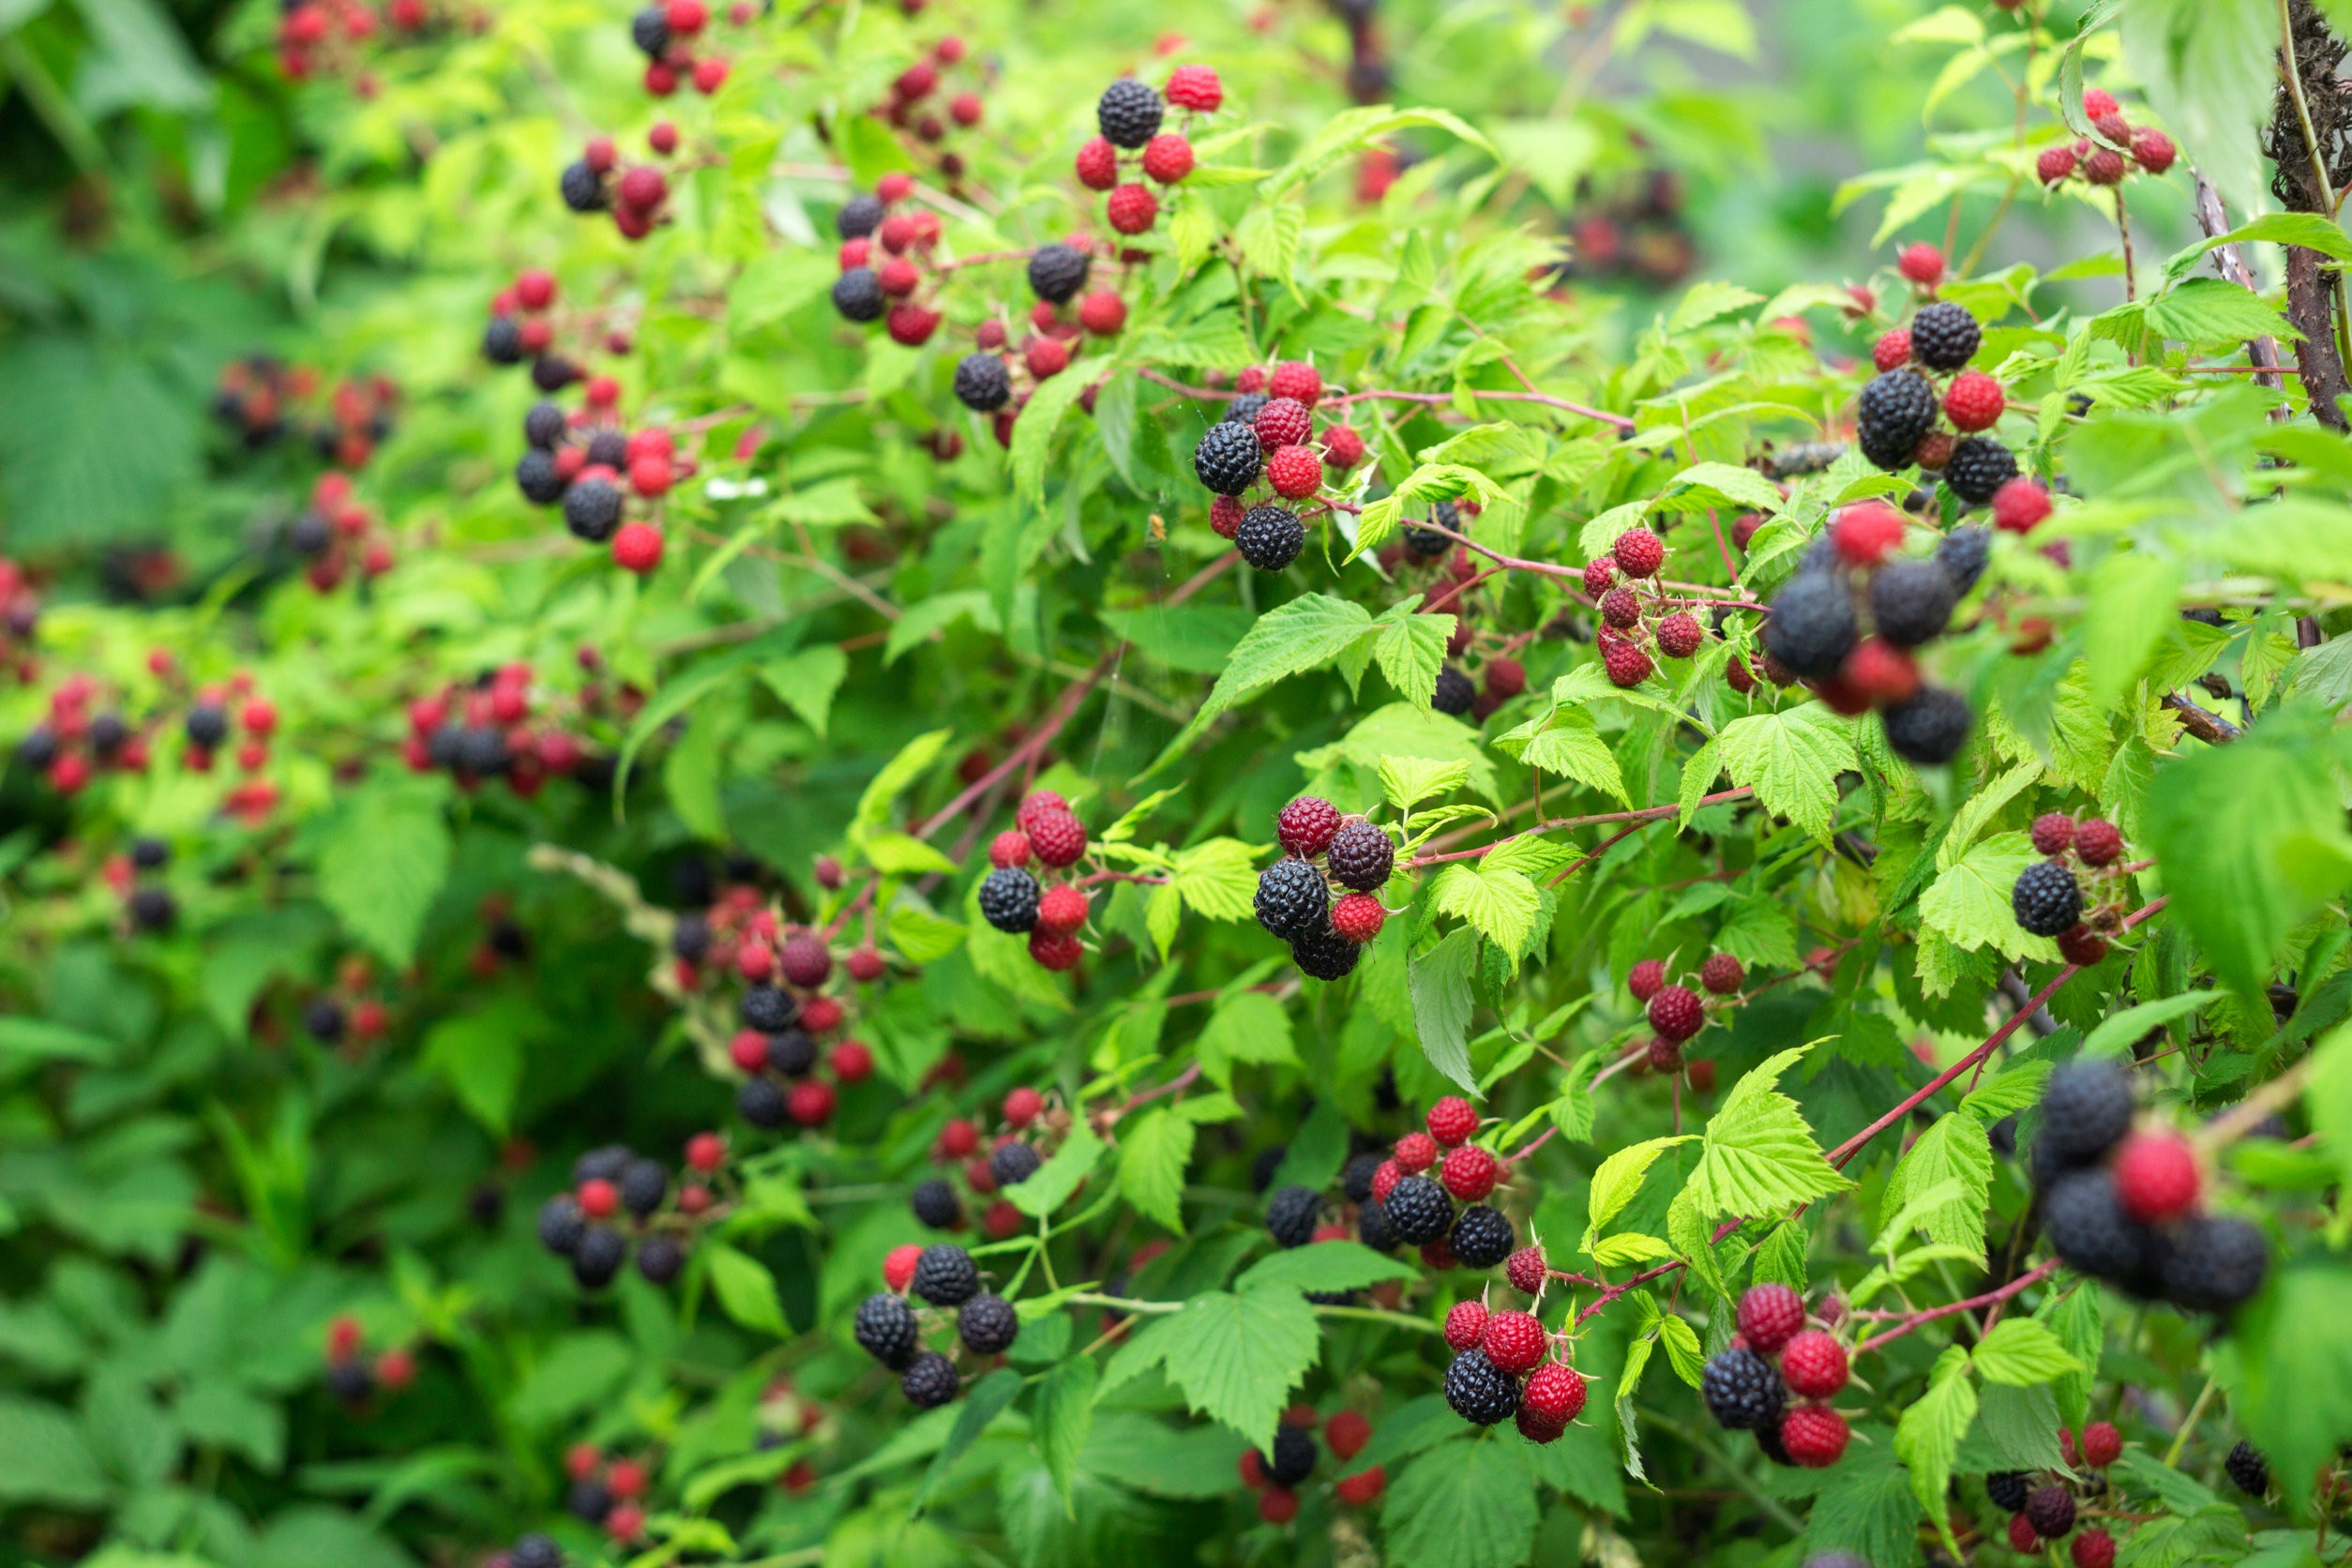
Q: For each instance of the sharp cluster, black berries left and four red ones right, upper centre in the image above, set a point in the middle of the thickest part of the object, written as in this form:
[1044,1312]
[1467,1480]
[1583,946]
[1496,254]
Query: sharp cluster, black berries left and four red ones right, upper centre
[1269,438]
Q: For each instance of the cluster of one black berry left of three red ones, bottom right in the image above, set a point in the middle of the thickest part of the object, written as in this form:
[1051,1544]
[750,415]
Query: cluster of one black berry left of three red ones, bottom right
[1777,1355]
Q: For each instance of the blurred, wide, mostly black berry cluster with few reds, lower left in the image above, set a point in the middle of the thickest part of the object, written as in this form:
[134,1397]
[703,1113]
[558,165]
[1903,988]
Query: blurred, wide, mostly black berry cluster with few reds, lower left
[620,1198]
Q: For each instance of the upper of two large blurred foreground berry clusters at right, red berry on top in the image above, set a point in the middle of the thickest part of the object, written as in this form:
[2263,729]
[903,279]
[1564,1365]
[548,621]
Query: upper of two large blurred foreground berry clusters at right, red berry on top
[1852,619]
